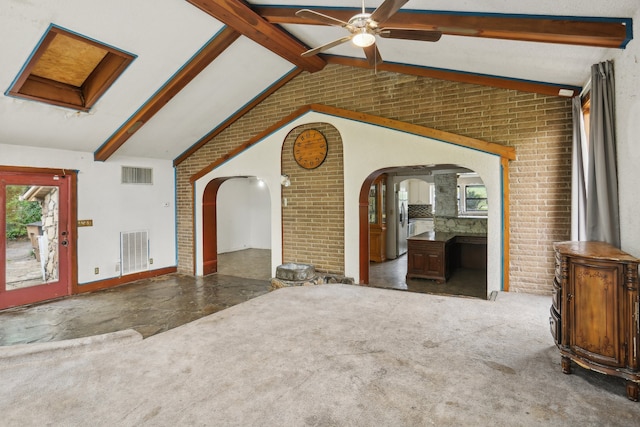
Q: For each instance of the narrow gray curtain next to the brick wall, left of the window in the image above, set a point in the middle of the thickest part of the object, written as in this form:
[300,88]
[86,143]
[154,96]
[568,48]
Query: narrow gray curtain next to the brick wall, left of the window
[578,177]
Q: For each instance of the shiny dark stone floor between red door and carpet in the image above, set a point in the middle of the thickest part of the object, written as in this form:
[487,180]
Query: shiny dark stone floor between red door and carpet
[148,306]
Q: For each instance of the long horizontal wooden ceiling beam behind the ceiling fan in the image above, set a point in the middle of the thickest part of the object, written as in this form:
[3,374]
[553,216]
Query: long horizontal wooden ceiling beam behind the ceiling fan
[584,31]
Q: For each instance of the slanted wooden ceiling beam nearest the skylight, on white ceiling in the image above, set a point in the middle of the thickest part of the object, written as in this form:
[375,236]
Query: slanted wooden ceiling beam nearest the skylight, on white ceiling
[199,62]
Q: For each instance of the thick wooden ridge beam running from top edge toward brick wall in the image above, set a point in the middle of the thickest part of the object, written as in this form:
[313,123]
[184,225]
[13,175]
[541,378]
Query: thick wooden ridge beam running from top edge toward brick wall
[238,15]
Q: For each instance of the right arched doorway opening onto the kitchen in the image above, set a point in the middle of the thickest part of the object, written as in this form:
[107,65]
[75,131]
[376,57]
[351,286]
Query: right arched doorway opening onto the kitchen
[462,214]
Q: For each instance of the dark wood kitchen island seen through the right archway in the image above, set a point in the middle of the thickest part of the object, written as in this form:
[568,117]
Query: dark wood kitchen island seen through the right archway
[434,255]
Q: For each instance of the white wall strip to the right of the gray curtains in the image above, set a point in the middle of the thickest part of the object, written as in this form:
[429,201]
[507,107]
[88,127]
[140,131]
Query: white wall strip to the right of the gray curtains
[627,72]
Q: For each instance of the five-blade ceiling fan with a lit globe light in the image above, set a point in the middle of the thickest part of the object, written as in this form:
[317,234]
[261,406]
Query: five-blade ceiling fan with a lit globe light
[364,27]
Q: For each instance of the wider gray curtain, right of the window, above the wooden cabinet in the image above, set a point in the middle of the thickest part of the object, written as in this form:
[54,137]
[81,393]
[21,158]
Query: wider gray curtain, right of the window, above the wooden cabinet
[602,216]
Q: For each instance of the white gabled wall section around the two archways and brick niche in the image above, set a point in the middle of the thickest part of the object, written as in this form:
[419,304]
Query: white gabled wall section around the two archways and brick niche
[366,149]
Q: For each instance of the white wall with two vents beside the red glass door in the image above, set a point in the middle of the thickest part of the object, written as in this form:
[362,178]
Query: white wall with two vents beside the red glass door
[113,207]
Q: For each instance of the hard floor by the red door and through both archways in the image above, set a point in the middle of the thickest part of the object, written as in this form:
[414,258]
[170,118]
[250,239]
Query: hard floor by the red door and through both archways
[157,305]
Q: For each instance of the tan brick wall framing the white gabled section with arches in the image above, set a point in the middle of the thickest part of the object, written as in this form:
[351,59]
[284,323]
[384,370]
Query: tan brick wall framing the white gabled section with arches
[538,126]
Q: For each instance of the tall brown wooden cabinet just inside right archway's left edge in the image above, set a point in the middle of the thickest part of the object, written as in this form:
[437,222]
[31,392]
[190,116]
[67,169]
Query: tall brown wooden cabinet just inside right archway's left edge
[378,220]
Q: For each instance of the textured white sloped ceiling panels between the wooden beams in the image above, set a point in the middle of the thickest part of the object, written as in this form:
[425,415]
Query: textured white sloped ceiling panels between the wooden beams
[165,34]
